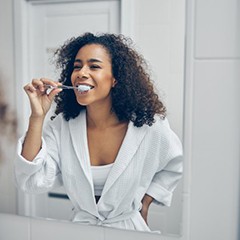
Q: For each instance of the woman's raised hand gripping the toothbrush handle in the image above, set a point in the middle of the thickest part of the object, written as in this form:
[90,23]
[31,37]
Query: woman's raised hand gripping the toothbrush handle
[40,100]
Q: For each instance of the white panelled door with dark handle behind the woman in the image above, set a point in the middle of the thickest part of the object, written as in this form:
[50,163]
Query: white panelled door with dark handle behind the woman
[50,24]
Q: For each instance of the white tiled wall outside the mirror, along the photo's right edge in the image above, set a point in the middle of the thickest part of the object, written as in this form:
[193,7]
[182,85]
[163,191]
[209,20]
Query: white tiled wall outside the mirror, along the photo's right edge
[213,64]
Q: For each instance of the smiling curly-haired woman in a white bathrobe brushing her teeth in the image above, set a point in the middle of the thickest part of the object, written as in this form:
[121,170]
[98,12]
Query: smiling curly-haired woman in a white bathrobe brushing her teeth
[111,145]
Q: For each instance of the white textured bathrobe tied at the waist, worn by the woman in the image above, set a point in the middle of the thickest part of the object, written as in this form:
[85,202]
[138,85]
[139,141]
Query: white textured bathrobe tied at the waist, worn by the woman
[149,161]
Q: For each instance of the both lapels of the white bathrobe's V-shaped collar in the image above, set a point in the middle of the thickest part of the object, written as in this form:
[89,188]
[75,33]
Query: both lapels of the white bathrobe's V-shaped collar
[133,138]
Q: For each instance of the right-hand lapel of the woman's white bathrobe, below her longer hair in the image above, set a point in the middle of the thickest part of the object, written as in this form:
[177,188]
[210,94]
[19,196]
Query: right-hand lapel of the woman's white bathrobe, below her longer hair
[131,142]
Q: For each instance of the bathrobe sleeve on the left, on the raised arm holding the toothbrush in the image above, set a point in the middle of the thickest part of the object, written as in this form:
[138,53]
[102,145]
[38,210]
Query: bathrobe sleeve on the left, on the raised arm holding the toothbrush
[43,173]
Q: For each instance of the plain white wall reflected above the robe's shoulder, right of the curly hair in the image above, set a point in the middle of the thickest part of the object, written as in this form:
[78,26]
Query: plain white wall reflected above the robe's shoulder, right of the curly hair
[159,31]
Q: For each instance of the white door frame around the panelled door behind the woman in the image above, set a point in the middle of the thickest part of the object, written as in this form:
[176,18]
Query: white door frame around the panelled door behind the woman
[21,41]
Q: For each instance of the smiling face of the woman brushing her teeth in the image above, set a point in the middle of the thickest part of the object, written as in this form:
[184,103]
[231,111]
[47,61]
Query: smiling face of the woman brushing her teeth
[92,67]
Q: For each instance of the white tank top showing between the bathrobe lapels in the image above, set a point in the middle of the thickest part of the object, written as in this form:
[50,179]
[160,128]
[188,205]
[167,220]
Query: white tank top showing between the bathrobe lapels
[100,174]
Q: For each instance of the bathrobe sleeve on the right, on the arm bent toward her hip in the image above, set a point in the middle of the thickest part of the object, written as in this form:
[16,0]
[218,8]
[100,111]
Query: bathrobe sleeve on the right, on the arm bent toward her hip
[169,173]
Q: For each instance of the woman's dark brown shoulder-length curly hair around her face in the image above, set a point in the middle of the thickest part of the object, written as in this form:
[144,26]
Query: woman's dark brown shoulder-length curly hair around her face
[133,97]
